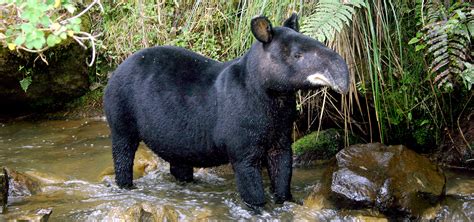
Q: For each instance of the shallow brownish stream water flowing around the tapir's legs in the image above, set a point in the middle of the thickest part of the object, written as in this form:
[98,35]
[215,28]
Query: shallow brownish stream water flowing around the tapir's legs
[70,157]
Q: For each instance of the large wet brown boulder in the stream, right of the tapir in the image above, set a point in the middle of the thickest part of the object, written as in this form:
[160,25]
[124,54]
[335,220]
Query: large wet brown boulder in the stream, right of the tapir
[391,179]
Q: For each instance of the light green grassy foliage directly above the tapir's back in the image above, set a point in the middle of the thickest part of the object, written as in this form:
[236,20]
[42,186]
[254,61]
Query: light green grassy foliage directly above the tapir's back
[213,28]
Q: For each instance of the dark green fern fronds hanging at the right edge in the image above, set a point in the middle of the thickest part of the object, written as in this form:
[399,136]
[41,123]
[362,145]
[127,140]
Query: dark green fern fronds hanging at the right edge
[446,40]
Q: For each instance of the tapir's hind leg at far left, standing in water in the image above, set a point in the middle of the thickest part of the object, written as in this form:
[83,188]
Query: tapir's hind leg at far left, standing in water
[123,152]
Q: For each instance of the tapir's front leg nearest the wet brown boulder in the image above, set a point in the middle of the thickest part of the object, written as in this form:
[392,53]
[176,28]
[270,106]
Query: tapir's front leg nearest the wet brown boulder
[279,165]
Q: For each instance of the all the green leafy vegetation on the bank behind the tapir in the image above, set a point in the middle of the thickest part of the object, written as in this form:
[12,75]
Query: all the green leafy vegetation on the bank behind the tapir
[410,61]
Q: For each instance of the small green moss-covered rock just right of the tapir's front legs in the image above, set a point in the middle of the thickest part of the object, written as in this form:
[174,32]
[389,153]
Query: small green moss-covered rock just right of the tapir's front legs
[321,145]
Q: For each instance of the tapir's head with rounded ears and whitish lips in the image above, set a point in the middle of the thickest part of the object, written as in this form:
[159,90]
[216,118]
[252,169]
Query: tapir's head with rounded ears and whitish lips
[287,60]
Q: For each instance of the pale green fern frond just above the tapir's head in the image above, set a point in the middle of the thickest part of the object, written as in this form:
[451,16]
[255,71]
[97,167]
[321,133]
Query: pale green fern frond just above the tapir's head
[330,17]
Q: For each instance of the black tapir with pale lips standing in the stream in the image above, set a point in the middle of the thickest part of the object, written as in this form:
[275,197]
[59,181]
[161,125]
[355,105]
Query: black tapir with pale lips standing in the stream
[193,111]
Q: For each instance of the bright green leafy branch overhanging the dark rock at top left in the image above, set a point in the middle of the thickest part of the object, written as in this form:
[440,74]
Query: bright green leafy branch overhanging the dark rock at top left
[35,26]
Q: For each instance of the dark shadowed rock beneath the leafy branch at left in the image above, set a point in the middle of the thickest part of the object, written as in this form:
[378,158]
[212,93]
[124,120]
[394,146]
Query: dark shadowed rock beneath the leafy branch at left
[65,78]
